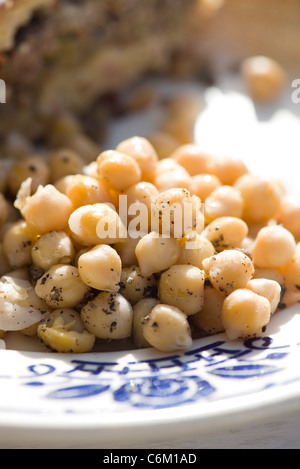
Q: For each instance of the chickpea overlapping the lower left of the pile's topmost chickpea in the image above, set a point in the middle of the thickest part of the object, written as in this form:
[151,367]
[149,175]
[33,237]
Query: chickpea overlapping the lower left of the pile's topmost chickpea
[118,170]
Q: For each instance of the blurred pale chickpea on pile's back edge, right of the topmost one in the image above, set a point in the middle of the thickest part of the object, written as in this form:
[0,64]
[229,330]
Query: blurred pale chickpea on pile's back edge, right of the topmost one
[193,160]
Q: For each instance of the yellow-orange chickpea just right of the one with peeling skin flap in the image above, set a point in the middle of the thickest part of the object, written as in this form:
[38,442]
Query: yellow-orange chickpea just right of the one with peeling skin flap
[85,190]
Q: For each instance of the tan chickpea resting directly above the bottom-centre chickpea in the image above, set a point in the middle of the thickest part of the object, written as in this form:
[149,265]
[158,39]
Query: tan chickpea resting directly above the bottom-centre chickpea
[182,286]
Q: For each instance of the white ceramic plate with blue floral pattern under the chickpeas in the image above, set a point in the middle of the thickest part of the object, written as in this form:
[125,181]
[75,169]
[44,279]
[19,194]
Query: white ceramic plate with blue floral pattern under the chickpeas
[140,398]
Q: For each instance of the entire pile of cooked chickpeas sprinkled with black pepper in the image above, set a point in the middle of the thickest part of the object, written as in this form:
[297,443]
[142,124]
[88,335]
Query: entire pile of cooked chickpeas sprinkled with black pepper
[65,285]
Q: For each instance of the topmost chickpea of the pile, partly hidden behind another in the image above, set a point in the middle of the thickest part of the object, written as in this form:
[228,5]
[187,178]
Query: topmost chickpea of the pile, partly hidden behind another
[143,152]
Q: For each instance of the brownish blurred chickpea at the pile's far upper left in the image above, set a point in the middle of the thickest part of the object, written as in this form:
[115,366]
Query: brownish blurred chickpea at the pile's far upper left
[35,167]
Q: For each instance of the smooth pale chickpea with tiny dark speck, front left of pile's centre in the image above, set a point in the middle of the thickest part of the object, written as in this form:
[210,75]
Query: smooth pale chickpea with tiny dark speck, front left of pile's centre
[100,268]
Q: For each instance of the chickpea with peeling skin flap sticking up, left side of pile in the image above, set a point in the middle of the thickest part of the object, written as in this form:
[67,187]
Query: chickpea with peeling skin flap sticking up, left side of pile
[47,210]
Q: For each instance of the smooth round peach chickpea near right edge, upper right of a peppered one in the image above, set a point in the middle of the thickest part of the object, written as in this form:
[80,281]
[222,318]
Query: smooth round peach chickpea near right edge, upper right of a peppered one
[273,247]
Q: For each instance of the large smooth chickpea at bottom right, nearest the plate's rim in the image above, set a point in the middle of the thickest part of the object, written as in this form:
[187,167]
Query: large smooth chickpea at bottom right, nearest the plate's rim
[245,314]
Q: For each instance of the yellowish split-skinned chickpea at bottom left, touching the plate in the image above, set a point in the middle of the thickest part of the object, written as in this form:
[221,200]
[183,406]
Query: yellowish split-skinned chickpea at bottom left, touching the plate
[63,332]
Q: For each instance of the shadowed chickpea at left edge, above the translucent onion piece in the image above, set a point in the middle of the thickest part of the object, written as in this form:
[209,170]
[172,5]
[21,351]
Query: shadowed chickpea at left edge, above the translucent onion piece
[17,244]
